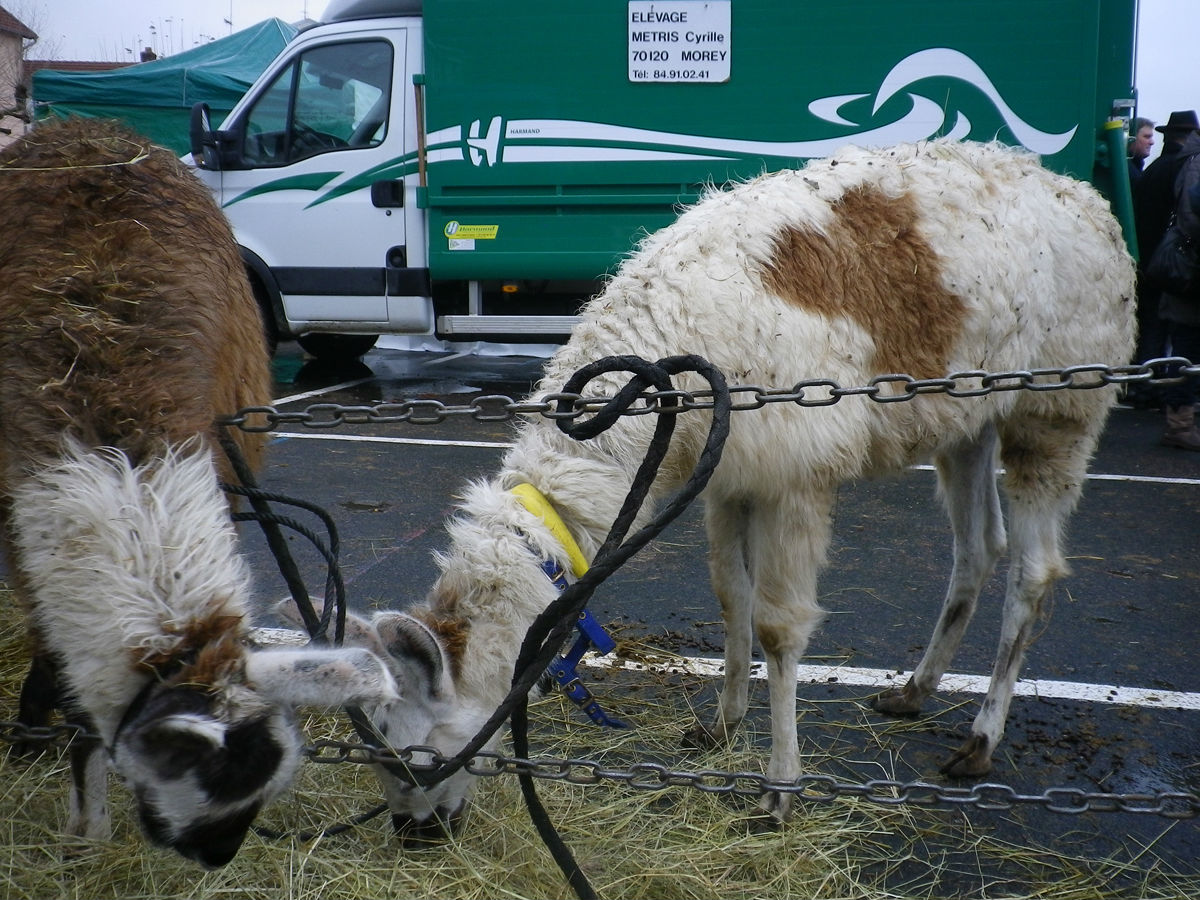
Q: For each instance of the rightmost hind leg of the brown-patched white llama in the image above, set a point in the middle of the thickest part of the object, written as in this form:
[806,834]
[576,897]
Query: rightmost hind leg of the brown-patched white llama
[1046,465]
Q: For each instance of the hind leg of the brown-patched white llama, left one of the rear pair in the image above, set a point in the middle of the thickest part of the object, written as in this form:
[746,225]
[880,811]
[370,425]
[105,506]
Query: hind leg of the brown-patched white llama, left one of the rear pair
[968,483]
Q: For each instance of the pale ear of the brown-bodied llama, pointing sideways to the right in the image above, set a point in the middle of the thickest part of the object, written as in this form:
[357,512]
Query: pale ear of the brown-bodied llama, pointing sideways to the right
[321,677]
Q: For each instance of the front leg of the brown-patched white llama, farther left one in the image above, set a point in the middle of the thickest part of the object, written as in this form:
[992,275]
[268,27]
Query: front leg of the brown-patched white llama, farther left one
[727,523]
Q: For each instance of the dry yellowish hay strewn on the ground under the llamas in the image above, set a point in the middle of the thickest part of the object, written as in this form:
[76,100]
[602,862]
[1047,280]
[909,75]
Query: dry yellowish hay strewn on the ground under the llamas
[674,843]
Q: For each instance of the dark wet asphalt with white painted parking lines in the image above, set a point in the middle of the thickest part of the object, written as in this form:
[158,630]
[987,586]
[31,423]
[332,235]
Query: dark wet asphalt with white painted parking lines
[1126,619]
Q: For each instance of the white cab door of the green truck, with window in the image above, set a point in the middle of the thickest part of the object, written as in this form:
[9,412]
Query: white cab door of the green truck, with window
[314,188]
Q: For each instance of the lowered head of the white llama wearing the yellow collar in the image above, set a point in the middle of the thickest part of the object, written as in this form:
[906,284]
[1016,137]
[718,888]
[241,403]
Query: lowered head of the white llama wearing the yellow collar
[429,712]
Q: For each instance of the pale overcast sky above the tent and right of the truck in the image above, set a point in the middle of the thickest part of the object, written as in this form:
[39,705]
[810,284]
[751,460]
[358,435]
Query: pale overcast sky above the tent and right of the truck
[1168,61]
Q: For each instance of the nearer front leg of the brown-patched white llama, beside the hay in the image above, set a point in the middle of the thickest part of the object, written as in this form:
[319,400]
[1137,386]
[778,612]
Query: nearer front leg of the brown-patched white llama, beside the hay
[788,539]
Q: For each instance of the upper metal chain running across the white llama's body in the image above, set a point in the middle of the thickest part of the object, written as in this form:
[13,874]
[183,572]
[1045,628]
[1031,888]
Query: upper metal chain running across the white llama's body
[809,394]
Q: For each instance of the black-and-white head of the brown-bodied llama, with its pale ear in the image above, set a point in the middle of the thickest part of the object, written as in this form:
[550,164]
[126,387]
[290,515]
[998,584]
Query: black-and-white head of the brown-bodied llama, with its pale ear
[202,760]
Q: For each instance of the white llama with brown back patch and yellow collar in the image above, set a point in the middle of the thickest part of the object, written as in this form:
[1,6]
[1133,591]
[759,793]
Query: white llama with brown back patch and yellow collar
[925,260]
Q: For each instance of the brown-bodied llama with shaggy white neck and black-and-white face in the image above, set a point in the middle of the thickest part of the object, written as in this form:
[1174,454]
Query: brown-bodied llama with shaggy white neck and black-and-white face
[128,328]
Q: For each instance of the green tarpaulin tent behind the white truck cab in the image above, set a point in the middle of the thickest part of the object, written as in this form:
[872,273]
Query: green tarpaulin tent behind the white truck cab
[157,98]
